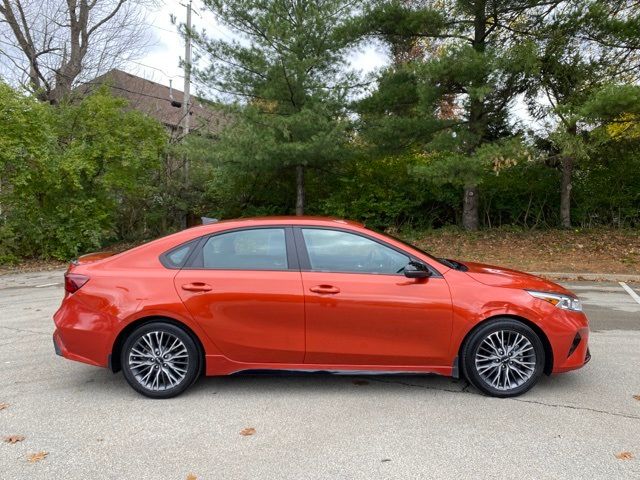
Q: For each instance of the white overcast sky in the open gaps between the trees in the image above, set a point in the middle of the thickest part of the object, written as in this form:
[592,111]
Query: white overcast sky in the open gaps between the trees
[162,62]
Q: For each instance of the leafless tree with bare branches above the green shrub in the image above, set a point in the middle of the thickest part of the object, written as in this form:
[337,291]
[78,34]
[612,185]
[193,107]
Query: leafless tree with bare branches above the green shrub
[65,42]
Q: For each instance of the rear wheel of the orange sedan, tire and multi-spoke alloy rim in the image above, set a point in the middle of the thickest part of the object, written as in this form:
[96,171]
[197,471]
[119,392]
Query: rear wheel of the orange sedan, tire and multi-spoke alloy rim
[188,366]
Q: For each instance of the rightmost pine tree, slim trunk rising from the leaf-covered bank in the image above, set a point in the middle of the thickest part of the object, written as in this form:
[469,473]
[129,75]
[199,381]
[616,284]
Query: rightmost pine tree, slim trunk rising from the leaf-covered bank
[588,50]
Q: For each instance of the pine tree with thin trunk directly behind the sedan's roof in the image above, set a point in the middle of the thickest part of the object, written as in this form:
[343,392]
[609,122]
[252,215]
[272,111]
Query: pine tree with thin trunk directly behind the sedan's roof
[285,69]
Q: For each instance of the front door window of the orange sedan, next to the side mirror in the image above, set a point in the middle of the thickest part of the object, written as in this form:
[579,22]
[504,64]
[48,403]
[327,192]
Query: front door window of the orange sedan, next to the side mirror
[335,251]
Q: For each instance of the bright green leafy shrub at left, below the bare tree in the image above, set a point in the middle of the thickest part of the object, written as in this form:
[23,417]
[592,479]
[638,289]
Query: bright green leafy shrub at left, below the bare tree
[67,170]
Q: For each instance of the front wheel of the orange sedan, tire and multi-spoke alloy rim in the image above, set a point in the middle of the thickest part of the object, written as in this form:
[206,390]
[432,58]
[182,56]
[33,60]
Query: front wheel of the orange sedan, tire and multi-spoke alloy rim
[479,364]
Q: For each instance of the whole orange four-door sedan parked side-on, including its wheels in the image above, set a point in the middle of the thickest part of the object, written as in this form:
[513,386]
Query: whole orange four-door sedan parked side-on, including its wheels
[311,294]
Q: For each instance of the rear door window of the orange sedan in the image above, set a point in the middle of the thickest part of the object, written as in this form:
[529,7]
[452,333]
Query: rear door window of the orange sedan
[259,249]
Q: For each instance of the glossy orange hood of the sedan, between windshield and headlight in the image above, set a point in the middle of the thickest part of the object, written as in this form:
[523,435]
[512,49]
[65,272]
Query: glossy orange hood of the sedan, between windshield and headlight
[505,277]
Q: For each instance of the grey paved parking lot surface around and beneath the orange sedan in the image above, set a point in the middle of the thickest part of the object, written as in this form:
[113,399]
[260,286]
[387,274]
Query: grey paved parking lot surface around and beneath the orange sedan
[94,426]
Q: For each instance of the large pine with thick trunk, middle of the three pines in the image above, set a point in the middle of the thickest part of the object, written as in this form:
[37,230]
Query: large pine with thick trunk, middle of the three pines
[479,59]
